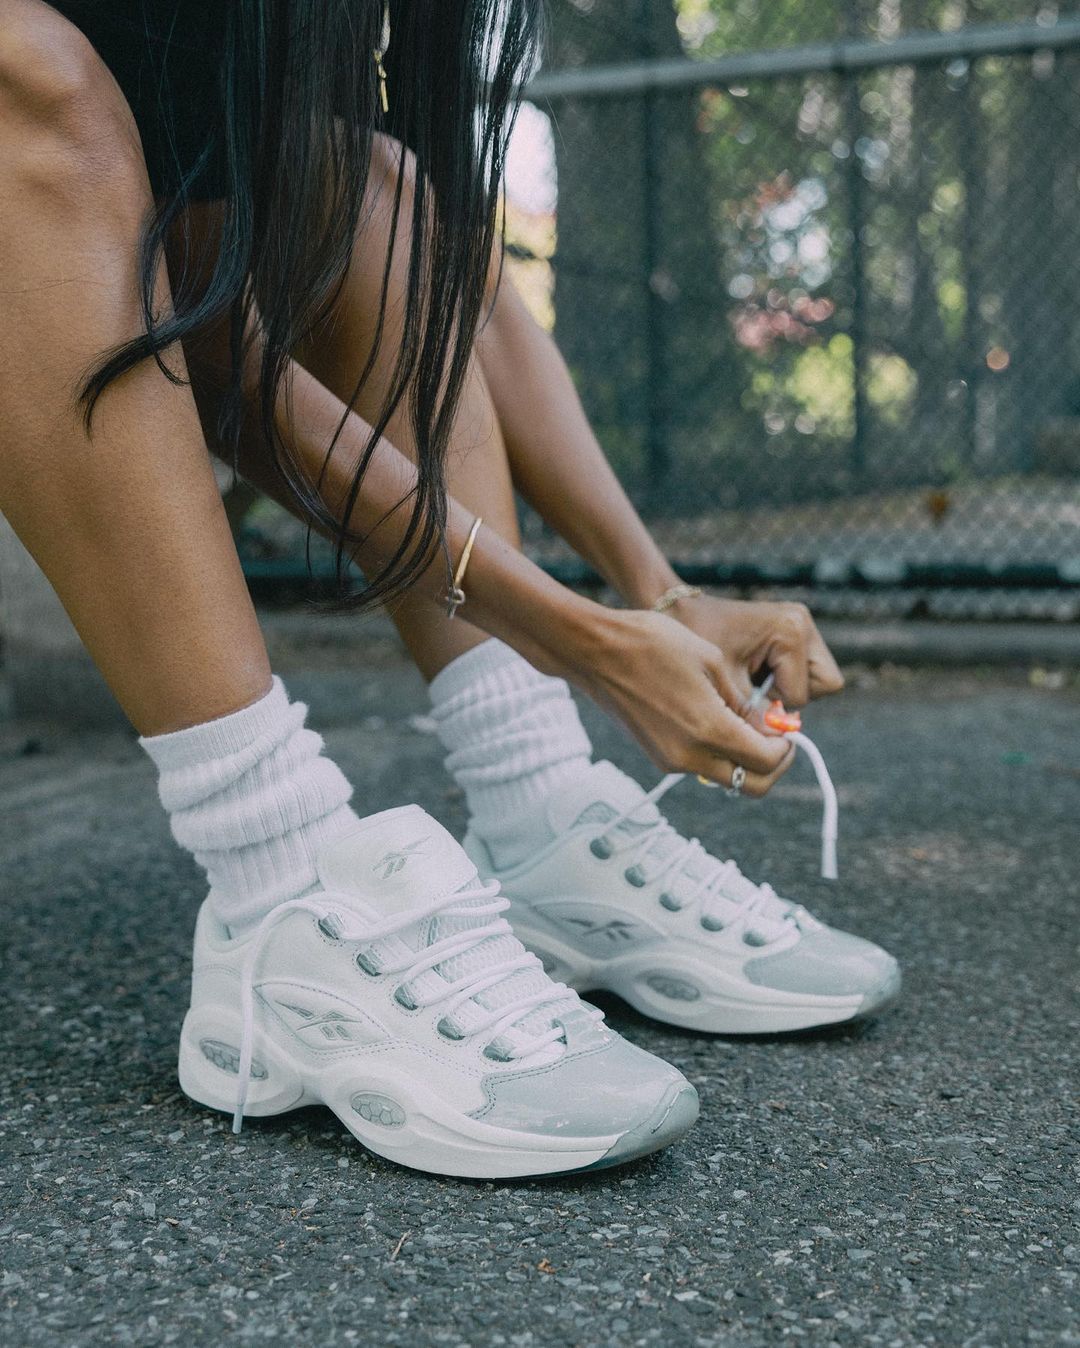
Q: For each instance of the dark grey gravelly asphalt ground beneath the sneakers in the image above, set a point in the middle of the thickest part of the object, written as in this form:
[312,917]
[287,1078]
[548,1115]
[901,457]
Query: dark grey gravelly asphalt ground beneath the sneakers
[908,1182]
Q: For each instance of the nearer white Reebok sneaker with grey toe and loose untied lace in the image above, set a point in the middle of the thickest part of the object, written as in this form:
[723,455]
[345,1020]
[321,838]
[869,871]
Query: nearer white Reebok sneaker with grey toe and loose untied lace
[397,995]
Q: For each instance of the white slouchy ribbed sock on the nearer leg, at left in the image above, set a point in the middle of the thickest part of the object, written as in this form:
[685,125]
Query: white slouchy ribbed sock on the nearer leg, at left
[253,797]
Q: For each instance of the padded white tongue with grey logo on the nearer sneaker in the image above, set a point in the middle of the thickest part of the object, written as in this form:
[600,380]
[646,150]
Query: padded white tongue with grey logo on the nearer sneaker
[396,862]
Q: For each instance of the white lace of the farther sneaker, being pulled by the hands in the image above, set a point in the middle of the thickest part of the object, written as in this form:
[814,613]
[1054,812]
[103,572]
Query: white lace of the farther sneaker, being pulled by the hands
[679,857]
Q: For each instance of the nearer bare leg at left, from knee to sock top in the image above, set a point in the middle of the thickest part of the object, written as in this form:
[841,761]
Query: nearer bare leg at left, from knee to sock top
[127,524]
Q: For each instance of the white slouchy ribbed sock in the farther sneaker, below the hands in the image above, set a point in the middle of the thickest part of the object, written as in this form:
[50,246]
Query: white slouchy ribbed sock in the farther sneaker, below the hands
[513,735]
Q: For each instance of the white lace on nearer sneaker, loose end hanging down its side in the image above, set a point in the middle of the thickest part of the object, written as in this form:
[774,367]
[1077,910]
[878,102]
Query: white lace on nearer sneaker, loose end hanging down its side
[455,994]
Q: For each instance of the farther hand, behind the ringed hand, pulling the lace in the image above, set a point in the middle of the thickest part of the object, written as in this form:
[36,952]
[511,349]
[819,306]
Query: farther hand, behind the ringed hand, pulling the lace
[761,638]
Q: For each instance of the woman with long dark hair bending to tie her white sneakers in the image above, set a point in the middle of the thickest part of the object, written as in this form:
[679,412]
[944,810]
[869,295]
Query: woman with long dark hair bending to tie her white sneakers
[211,237]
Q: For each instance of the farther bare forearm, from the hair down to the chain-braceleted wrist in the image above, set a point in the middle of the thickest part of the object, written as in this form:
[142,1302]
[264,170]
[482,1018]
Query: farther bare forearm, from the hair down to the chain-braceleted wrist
[558,464]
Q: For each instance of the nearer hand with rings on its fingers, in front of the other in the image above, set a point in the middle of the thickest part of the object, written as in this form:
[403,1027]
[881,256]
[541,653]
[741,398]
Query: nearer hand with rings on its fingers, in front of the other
[676,692]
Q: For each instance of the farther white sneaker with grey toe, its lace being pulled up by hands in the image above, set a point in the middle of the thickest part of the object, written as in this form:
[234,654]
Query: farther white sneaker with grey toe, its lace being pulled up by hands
[621,901]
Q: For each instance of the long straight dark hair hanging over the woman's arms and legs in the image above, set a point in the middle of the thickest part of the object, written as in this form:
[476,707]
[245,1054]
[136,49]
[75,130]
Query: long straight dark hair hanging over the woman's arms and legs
[301,104]
